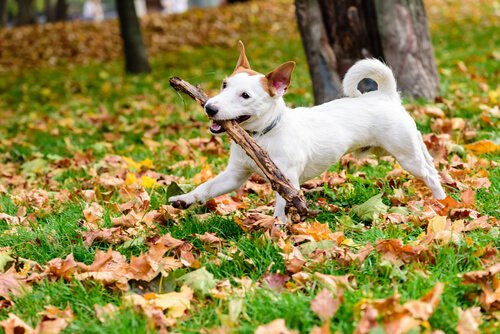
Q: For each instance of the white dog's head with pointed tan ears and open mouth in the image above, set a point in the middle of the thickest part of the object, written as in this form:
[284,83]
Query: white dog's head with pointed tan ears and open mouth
[249,97]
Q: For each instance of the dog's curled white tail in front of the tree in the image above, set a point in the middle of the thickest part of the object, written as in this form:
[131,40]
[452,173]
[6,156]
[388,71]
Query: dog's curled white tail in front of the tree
[373,69]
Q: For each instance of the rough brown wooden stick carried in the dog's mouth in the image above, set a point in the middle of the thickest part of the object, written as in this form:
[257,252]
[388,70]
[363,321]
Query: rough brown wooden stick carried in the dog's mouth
[279,182]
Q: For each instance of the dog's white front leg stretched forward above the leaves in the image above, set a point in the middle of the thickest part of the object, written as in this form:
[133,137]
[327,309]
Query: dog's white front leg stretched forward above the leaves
[227,181]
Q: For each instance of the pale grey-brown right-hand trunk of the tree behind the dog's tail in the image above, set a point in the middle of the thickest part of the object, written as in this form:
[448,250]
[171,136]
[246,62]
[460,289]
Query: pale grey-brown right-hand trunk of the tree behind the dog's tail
[402,26]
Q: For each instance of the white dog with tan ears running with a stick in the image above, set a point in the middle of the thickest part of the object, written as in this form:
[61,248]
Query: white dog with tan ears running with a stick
[304,142]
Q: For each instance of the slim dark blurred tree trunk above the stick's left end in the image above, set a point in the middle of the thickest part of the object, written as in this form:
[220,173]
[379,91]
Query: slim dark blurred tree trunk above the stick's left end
[136,59]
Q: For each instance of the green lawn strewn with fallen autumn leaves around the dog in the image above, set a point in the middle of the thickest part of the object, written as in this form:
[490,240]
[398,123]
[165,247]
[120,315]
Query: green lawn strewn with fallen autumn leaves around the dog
[88,244]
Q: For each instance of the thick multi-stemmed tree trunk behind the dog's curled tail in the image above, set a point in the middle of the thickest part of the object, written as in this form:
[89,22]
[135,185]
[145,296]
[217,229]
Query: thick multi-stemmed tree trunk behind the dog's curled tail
[336,34]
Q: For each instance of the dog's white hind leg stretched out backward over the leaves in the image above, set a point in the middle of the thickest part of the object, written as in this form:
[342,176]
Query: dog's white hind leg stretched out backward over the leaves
[414,157]
